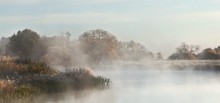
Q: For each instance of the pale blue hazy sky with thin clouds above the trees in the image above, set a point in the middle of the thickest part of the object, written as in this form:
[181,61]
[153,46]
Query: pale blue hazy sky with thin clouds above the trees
[160,25]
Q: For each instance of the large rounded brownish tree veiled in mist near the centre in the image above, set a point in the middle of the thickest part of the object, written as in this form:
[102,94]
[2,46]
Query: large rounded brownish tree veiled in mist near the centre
[98,45]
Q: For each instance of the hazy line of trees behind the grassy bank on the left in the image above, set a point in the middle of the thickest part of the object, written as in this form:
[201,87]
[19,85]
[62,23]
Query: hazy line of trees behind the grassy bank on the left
[92,47]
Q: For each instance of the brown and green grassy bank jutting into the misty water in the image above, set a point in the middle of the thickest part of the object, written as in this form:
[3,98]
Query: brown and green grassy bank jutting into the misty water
[23,80]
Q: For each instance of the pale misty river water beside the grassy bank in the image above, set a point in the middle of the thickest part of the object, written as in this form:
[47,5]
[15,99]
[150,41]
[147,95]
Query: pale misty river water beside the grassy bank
[153,85]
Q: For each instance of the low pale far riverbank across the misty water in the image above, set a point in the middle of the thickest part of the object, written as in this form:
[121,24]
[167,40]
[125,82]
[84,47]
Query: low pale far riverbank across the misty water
[165,64]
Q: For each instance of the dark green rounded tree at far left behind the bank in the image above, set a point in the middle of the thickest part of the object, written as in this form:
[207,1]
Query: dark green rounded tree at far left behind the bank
[23,44]
